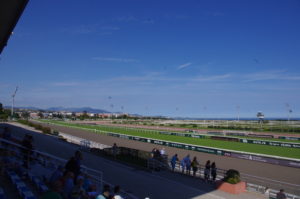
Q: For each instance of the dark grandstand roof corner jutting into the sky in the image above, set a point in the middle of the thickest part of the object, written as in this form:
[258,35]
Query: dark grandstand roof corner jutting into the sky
[10,12]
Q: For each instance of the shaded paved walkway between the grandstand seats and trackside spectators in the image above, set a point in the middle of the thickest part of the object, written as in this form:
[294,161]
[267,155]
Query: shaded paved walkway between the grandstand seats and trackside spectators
[164,185]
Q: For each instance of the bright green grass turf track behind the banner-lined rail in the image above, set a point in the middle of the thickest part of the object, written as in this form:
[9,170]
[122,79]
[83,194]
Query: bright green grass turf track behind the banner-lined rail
[237,146]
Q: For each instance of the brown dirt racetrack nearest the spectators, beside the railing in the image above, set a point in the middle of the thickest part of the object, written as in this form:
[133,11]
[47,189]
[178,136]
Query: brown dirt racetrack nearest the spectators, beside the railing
[265,174]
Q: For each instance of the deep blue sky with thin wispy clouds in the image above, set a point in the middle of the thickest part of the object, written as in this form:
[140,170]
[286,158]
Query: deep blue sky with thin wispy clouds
[201,58]
